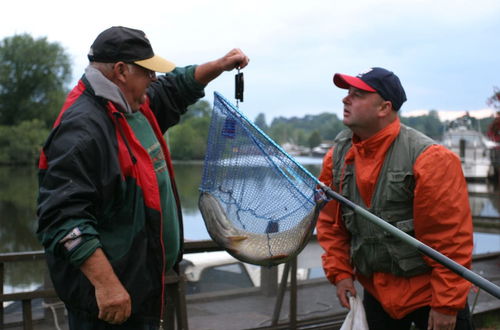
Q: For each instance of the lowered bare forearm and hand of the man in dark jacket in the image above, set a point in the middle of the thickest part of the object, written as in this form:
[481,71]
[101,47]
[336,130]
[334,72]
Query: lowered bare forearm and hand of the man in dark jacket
[113,300]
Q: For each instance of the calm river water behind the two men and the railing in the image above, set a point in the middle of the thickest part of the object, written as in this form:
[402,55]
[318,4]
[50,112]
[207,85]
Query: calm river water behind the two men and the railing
[18,221]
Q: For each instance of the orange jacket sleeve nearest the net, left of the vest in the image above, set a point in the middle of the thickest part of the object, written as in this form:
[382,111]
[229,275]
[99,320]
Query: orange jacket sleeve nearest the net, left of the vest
[332,234]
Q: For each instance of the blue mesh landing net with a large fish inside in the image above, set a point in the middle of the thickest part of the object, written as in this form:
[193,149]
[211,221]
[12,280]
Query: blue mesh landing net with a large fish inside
[256,201]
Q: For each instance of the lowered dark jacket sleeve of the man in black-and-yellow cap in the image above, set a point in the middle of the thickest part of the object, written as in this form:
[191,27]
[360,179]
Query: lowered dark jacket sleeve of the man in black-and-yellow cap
[68,194]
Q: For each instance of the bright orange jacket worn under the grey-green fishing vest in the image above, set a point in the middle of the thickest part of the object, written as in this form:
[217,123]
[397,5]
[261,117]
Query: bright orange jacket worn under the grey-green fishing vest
[442,220]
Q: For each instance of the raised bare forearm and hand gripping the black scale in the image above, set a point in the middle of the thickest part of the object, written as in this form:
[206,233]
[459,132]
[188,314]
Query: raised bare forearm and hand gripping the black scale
[207,72]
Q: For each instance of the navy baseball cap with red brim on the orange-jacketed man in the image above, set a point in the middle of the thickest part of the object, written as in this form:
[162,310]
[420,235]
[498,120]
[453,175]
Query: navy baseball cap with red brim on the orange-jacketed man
[378,80]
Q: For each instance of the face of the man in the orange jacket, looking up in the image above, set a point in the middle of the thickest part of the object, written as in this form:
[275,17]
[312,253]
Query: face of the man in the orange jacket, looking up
[360,111]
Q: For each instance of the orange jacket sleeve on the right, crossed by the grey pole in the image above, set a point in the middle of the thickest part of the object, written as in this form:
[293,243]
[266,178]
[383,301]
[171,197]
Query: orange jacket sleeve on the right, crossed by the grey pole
[442,220]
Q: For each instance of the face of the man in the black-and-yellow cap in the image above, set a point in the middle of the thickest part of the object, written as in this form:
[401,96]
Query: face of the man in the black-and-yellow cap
[138,81]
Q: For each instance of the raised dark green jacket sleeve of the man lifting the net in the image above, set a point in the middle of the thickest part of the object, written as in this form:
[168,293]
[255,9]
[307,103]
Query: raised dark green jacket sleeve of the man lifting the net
[170,96]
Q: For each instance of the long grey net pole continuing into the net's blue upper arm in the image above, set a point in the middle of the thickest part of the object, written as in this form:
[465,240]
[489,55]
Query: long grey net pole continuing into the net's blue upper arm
[460,270]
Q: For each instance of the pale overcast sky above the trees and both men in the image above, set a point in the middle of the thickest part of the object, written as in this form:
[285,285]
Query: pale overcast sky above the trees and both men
[446,53]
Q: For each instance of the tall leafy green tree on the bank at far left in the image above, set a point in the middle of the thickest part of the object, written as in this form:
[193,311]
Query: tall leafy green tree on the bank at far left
[33,76]
